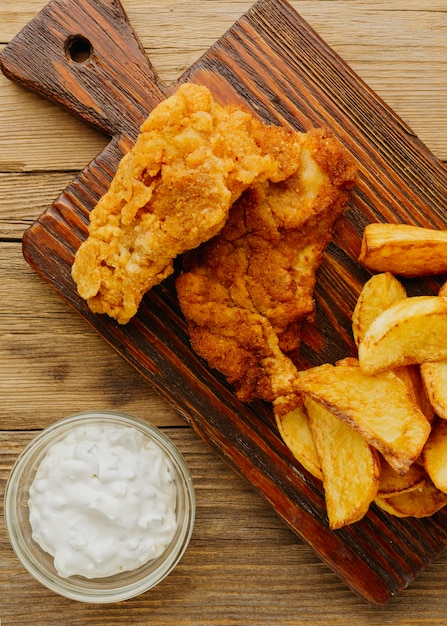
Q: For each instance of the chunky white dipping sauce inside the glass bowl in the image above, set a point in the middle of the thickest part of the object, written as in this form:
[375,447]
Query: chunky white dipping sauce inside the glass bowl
[103,501]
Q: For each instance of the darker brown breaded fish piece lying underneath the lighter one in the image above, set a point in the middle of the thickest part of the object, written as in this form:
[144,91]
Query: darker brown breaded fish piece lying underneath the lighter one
[246,292]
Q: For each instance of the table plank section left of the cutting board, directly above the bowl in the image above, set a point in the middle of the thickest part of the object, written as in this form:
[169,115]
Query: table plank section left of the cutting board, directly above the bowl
[71,369]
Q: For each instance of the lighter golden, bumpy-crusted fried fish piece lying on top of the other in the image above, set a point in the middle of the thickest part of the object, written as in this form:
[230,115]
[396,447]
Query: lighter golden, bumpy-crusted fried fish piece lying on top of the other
[193,158]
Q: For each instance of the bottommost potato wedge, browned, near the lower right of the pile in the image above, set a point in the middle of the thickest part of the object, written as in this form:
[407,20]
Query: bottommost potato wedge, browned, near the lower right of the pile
[422,502]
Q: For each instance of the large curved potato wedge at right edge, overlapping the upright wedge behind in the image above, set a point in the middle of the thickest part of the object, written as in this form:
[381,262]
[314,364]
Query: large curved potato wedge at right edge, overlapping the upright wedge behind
[413,330]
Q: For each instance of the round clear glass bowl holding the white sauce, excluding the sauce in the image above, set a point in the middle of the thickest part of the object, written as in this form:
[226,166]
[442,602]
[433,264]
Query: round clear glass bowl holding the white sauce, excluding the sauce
[40,564]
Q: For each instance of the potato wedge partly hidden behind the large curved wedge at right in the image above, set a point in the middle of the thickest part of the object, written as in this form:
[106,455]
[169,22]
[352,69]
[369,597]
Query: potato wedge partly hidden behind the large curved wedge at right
[378,293]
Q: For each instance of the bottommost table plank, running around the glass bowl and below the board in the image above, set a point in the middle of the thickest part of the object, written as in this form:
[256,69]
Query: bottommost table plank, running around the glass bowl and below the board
[263,576]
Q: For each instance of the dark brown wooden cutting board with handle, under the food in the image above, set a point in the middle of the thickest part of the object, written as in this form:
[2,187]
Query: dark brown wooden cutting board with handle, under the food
[272,61]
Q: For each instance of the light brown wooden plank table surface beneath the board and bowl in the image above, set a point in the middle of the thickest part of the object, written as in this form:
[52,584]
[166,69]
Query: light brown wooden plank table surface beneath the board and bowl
[243,566]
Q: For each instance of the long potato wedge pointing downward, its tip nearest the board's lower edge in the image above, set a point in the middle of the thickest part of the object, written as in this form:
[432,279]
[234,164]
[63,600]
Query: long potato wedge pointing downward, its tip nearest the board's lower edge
[350,466]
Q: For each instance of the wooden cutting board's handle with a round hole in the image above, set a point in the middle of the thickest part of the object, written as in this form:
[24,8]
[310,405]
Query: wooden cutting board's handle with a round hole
[75,52]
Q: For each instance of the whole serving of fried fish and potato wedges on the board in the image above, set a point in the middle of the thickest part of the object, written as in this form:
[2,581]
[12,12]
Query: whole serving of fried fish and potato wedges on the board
[251,208]
